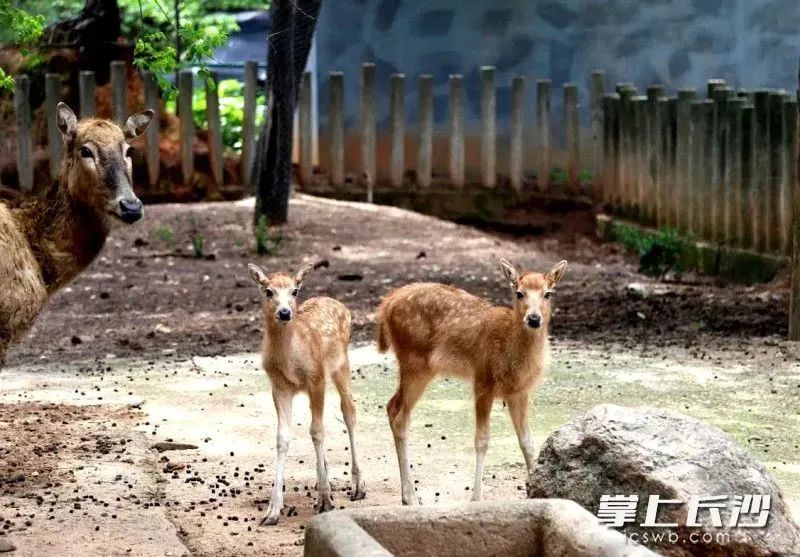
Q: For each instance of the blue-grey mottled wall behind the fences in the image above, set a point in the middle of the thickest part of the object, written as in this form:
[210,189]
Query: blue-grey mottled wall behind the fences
[749,43]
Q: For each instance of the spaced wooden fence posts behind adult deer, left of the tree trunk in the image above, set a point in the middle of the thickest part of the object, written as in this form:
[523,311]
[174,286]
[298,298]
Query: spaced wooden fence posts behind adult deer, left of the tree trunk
[119,112]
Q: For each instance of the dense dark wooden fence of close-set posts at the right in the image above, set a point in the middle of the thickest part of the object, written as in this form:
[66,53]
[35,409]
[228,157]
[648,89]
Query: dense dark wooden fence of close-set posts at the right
[720,168]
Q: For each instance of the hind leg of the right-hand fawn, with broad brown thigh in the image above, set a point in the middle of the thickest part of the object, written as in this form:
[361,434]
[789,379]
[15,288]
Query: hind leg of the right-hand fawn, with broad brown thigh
[413,381]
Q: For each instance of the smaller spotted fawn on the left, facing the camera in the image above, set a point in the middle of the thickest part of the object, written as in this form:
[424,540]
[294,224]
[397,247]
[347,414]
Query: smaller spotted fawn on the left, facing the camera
[301,349]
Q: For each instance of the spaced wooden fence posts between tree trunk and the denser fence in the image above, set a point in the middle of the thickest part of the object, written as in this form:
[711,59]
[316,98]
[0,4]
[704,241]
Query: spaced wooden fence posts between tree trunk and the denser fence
[519,173]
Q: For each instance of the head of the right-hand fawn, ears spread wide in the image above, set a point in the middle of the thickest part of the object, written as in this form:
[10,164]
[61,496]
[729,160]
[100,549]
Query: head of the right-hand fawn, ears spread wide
[532,292]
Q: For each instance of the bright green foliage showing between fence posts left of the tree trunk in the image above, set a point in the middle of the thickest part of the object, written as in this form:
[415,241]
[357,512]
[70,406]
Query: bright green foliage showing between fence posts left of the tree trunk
[231,111]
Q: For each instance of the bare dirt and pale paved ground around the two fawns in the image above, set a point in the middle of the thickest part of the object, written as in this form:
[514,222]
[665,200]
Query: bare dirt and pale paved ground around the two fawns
[152,344]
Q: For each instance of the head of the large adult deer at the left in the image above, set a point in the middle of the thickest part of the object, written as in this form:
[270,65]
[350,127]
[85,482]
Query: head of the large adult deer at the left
[97,169]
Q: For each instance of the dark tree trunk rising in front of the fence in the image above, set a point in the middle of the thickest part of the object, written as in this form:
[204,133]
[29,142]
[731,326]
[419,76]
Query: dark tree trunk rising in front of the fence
[289,43]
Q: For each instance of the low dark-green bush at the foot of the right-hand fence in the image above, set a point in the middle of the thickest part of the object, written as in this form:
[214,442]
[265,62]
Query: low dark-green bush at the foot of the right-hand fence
[658,252]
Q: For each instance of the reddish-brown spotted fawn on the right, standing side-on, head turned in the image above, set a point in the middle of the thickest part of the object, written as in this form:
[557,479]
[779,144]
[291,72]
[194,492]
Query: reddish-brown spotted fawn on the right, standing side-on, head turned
[437,329]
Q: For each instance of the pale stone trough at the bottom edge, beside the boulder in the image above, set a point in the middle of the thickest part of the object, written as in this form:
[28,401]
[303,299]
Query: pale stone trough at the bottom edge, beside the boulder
[538,527]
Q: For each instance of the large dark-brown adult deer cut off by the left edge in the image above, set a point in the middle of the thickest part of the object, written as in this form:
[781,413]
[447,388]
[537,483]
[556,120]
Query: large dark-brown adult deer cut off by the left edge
[48,240]
